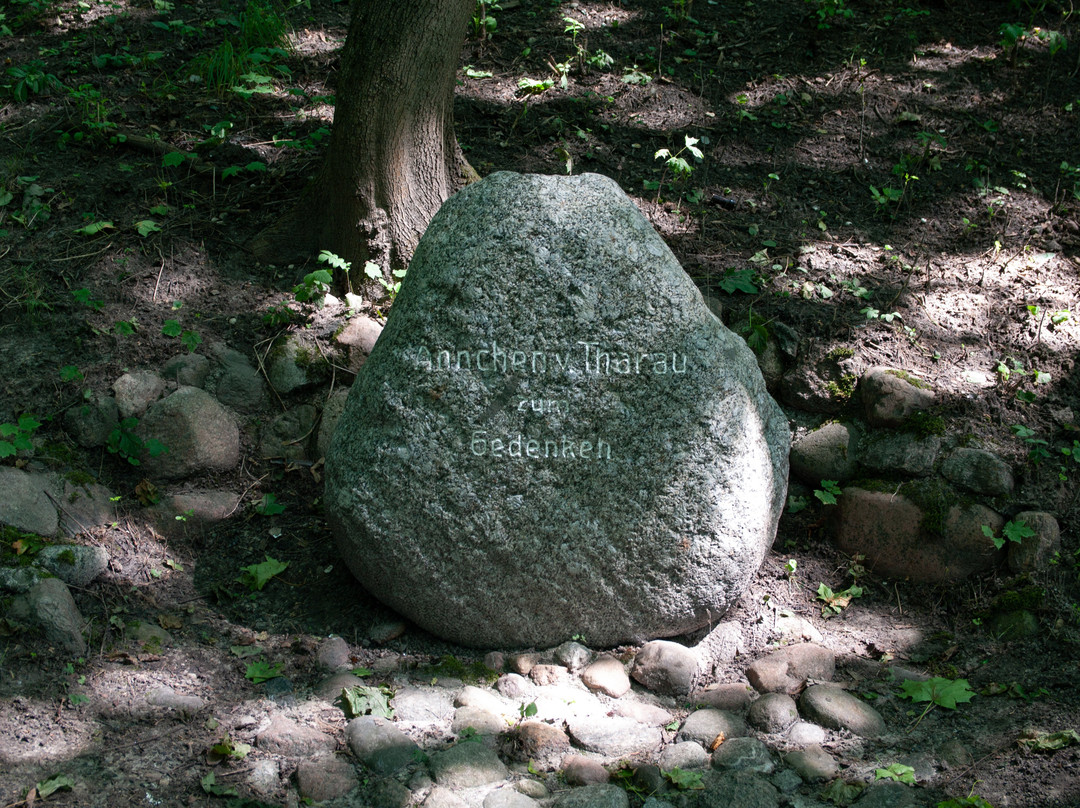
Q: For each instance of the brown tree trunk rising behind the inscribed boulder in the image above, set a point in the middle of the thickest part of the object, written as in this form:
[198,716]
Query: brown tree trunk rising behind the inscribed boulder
[394,158]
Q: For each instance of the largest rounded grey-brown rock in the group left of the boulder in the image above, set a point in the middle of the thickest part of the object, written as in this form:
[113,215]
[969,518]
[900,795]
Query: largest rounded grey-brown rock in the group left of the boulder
[199,434]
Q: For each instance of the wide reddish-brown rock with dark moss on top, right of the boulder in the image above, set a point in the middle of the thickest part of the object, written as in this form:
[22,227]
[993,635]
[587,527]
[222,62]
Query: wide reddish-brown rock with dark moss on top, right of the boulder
[936,543]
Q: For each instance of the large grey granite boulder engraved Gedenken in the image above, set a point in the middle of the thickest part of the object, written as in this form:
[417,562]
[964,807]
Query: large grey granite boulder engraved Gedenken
[553,436]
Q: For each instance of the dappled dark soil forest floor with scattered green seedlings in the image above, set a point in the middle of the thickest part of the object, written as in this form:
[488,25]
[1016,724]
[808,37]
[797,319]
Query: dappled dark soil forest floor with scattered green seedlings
[903,183]
